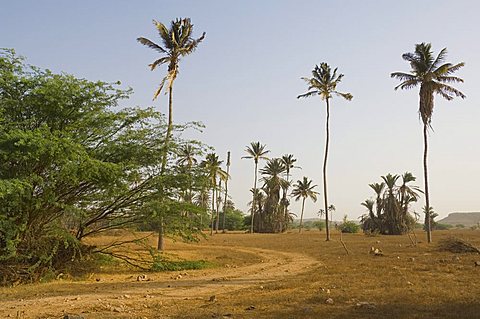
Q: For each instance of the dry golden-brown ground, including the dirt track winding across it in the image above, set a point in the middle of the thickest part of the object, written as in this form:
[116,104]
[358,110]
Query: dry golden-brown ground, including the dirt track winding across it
[287,275]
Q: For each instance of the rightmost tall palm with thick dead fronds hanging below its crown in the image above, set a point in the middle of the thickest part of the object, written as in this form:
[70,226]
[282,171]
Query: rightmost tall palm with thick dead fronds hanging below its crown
[432,75]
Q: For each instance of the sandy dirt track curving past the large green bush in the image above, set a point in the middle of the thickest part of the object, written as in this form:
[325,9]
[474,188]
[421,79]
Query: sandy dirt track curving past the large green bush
[122,296]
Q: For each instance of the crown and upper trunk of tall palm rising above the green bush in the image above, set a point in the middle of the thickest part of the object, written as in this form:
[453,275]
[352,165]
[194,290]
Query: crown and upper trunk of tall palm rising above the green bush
[177,43]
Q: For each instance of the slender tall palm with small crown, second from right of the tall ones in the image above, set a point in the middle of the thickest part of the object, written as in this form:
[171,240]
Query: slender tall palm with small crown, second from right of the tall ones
[324,83]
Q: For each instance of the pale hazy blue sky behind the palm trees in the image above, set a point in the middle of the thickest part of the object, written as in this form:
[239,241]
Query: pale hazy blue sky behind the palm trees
[243,80]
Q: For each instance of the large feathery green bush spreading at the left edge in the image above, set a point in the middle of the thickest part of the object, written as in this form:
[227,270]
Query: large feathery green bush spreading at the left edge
[73,164]
